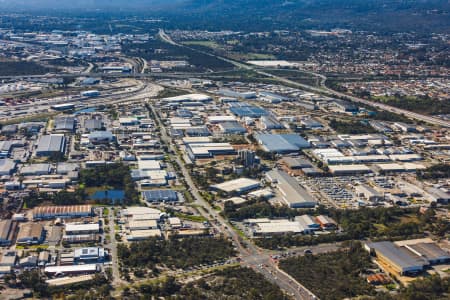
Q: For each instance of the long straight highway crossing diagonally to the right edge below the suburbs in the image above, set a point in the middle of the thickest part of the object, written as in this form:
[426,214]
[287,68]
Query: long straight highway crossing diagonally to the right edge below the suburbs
[322,89]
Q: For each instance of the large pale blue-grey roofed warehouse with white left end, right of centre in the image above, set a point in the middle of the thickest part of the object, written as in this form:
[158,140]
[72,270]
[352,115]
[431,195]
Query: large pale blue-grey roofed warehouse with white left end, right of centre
[282,143]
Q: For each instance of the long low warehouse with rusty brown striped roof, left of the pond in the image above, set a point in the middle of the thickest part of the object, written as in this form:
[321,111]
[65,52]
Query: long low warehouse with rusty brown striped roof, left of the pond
[68,211]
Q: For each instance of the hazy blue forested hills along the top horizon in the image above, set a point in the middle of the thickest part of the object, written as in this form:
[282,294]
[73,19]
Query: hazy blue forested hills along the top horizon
[378,15]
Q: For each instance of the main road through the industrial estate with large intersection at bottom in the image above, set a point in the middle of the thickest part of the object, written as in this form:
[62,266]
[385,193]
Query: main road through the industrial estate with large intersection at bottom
[251,256]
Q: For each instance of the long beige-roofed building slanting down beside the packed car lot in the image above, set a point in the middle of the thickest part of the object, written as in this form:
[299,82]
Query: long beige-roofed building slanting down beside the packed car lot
[292,194]
